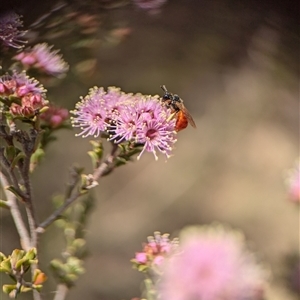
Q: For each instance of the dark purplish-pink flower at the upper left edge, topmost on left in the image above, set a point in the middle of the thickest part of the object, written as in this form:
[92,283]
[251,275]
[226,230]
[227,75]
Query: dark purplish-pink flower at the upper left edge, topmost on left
[9,30]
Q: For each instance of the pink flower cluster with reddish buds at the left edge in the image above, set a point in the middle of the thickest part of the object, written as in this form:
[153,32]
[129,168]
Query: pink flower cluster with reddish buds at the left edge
[24,96]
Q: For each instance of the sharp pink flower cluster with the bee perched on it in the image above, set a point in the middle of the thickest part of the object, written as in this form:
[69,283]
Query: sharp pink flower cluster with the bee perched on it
[134,118]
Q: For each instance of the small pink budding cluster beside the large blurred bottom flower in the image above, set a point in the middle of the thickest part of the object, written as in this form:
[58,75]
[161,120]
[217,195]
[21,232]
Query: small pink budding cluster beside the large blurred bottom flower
[154,252]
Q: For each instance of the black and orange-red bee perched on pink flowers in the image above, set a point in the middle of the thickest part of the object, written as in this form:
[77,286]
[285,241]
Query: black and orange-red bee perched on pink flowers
[175,103]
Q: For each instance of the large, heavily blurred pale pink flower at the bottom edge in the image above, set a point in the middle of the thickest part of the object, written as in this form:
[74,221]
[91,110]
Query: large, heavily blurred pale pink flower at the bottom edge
[212,264]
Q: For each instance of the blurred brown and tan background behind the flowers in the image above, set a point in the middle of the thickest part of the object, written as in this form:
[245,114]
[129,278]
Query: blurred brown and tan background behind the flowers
[236,65]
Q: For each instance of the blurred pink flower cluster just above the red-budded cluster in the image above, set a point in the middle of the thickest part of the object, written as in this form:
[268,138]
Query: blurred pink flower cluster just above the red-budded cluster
[44,59]
